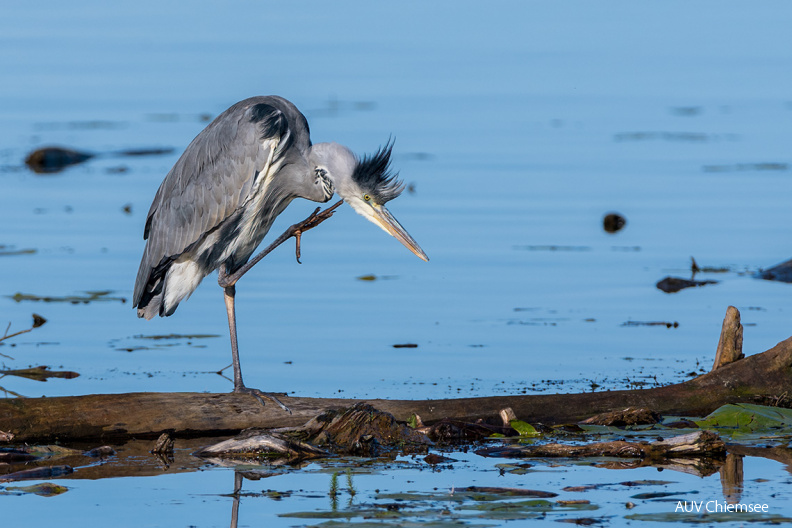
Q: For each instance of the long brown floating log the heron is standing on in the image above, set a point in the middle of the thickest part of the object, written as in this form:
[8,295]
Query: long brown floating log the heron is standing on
[758,378]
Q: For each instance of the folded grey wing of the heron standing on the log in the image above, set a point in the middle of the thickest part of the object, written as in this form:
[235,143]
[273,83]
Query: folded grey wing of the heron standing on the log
[213,178]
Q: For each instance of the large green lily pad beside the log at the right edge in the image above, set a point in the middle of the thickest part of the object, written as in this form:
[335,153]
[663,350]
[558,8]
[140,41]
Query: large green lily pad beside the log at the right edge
[748,418]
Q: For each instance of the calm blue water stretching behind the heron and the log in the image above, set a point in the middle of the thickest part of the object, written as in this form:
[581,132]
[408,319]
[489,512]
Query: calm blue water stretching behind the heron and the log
[520,125]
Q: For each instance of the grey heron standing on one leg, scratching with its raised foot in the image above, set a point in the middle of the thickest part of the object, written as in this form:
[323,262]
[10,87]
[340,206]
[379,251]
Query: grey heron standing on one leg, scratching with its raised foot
[219,200]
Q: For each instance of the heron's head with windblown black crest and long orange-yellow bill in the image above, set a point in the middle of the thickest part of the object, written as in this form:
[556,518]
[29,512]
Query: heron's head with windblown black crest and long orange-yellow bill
[365,184]
